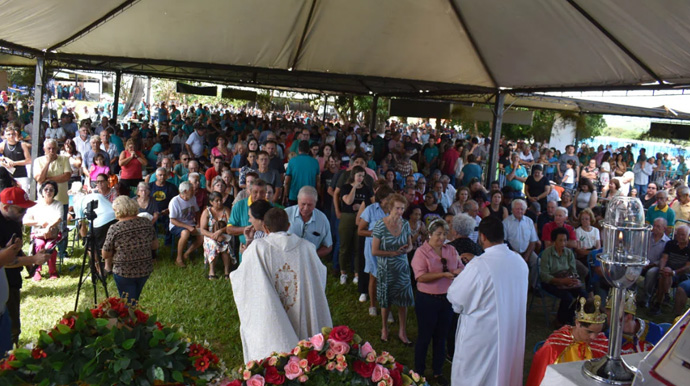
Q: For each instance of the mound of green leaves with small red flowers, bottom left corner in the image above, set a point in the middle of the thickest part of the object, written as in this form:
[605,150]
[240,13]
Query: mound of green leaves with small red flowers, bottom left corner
[114,343]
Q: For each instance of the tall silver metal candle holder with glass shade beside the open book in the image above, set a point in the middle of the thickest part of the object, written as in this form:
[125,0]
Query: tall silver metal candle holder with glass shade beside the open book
[625,238]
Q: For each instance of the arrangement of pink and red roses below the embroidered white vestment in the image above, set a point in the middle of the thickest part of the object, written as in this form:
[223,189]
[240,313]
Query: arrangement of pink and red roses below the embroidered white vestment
[336,356]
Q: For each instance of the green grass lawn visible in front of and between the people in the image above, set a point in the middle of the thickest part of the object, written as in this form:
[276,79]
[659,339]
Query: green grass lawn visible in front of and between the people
[206,309]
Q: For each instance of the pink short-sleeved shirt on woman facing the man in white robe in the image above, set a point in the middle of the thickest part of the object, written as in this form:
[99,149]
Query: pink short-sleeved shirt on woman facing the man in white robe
[425,260]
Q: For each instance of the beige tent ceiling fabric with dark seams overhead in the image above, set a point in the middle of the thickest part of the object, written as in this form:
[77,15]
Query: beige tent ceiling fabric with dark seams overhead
[361,46]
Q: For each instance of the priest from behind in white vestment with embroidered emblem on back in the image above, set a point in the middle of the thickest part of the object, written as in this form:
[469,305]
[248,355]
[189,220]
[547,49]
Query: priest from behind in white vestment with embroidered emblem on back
[280,290]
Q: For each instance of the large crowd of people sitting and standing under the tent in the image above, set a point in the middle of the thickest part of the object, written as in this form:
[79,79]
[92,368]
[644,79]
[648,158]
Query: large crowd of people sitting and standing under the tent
[401,214]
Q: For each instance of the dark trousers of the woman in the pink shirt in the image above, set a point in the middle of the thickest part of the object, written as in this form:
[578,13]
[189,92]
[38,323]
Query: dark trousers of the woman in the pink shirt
[434,315]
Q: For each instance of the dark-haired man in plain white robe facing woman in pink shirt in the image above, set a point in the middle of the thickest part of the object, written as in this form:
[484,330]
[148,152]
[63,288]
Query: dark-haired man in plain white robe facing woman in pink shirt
[490,295]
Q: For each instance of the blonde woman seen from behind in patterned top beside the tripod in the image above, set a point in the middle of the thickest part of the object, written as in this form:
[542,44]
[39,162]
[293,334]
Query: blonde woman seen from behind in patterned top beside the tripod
[127,248]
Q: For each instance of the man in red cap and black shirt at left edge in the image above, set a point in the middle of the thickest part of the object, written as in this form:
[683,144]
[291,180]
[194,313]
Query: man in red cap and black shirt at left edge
[14,203]
